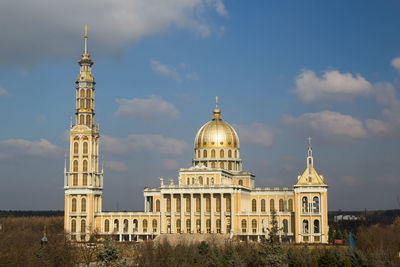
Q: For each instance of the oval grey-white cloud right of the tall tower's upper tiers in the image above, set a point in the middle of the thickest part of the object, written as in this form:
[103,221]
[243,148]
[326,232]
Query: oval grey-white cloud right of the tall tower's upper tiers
[147,110]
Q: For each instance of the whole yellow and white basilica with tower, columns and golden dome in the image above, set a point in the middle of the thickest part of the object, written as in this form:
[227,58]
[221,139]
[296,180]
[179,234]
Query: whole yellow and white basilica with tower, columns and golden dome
[213,196]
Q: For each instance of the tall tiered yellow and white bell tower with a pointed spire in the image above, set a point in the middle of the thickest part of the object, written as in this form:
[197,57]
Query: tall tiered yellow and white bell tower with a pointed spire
[83,182]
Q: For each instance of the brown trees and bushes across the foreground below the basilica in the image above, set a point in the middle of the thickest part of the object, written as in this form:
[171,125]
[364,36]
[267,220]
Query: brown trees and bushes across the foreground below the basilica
[376,245]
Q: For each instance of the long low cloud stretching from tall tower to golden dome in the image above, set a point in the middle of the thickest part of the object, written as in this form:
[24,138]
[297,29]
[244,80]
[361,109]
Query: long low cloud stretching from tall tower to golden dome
[144,143]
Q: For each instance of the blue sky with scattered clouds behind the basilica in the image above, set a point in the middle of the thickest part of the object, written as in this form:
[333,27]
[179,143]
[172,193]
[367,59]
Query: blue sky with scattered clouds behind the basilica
[283,70]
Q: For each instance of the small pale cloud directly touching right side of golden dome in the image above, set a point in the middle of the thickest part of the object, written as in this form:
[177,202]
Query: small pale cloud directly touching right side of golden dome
[255,133]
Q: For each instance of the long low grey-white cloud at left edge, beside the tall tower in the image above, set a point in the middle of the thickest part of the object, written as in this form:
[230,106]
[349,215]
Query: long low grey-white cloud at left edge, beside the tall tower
[19,148]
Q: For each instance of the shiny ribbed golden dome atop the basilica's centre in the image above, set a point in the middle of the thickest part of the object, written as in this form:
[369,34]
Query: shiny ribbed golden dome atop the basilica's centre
[216,133]
